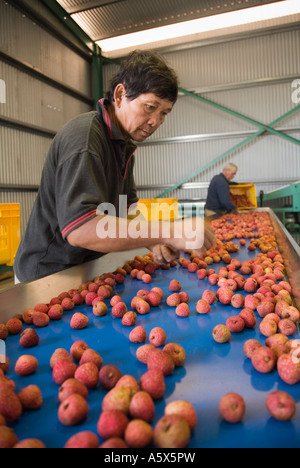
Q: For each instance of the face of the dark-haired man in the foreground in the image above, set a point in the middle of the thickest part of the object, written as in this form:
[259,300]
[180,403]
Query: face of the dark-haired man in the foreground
[142,116]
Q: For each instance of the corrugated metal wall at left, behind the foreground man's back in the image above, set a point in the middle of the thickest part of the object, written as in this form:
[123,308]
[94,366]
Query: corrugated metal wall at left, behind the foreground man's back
[48,82]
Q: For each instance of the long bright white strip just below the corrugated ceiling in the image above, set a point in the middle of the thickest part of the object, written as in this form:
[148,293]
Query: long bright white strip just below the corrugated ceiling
[201,25]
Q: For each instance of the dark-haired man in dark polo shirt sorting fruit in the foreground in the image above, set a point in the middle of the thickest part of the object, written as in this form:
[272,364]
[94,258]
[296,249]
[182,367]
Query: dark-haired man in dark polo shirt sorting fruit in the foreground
[90,163]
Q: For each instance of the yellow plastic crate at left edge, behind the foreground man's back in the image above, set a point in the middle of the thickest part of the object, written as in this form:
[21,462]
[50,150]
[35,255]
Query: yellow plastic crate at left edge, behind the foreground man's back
[10,232]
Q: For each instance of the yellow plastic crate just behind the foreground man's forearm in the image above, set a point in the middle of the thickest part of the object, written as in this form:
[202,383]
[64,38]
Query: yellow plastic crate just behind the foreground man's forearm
[159,209]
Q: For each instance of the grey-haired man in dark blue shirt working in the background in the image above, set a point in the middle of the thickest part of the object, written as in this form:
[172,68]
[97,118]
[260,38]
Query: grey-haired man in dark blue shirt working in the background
[218,198]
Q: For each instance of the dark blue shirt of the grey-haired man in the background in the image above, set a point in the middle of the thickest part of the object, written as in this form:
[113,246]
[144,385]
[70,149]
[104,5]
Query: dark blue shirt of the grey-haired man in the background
[218,197]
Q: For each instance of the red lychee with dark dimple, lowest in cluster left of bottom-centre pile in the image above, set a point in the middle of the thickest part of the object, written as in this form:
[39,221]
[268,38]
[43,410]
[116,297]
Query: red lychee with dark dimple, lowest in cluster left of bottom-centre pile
[73,410]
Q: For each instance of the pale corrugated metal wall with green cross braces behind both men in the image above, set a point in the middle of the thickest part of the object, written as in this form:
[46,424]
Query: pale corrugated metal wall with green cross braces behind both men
[252,75]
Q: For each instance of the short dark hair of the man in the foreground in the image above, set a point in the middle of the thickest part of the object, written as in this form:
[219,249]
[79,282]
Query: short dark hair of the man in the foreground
[145,72]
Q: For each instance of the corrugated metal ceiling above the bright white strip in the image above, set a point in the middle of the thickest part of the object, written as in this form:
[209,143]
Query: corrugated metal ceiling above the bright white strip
[102,19]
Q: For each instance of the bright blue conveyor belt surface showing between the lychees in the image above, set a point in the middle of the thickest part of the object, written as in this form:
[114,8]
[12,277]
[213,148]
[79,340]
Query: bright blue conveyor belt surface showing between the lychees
[211,370]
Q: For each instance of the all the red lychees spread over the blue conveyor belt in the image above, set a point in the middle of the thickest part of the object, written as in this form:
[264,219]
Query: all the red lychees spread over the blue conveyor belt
[128,407]
